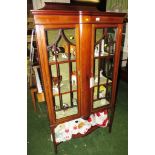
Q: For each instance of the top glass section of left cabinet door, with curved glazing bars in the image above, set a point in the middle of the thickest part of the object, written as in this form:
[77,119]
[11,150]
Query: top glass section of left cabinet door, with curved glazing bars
[61,44]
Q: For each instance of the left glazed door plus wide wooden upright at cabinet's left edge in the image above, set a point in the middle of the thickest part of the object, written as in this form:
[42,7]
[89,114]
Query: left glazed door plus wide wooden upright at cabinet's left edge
[59,52]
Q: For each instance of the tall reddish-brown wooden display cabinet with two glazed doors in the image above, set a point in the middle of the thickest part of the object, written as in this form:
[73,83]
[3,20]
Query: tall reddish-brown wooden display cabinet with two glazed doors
[79,53]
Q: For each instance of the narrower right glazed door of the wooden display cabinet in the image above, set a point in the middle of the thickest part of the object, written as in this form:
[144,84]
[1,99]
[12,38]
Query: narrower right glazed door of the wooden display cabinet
[103,65]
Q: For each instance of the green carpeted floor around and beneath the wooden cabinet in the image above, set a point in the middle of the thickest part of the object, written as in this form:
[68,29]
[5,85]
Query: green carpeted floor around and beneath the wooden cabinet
[98,142]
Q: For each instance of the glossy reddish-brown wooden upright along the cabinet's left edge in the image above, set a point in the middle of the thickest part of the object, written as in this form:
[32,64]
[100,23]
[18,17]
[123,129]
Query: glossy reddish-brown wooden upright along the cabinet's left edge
[45,71]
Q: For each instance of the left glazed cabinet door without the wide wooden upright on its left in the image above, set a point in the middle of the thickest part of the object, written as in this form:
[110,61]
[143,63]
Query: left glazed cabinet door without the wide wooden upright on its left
[62,55]
